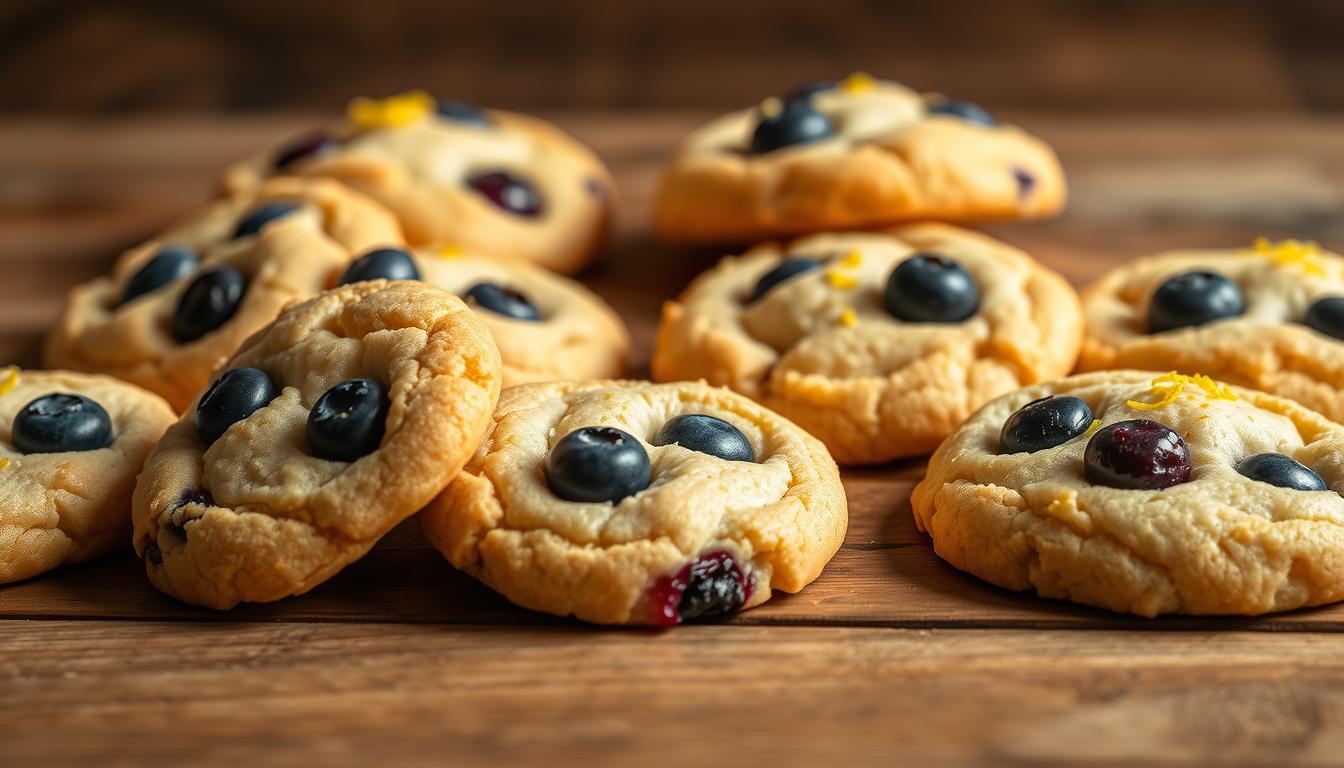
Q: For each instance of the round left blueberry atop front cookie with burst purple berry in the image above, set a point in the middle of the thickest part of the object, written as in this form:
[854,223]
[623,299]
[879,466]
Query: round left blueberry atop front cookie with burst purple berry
[597,465]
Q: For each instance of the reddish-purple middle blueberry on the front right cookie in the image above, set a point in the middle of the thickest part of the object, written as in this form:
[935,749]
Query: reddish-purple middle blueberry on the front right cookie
[1138,454]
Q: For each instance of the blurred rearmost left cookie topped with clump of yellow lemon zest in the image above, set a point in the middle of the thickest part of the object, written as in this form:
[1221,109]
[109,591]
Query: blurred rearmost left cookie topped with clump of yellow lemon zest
[480,180]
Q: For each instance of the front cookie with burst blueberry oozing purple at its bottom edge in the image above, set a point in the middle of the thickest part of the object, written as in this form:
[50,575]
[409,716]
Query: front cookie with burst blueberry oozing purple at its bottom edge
[640,504]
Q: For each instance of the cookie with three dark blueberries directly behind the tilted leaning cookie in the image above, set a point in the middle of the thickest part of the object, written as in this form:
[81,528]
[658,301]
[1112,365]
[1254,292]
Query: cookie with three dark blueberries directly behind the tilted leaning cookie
[177,306]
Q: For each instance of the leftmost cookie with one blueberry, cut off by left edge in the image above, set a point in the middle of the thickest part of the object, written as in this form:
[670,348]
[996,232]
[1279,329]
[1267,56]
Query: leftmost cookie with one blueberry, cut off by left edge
[71,449]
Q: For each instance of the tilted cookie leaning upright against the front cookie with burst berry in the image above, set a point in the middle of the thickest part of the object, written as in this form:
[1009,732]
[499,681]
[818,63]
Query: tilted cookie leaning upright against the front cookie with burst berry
[326,430]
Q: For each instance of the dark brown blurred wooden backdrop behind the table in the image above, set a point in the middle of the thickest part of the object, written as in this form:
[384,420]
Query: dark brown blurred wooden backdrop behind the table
[1092,56]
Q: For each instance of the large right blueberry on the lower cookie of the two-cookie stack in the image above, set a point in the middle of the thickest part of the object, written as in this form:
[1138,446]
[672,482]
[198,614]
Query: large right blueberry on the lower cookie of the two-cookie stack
[929,289]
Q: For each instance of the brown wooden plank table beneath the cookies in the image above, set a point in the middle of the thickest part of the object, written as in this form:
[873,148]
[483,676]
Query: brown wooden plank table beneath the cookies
[890,654]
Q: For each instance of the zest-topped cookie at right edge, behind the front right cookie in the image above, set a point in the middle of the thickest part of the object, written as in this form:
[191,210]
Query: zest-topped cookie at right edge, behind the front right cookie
[1271,318]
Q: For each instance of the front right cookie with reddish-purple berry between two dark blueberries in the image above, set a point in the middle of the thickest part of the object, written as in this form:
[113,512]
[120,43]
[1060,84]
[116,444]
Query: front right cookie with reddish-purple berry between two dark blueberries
[1175,494]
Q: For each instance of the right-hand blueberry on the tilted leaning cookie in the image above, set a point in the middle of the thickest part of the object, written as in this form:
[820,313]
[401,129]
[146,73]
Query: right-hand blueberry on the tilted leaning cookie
[349,422]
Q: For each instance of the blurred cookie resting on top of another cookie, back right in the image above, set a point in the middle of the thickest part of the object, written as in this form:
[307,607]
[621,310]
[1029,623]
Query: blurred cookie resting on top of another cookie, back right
[854,154]
